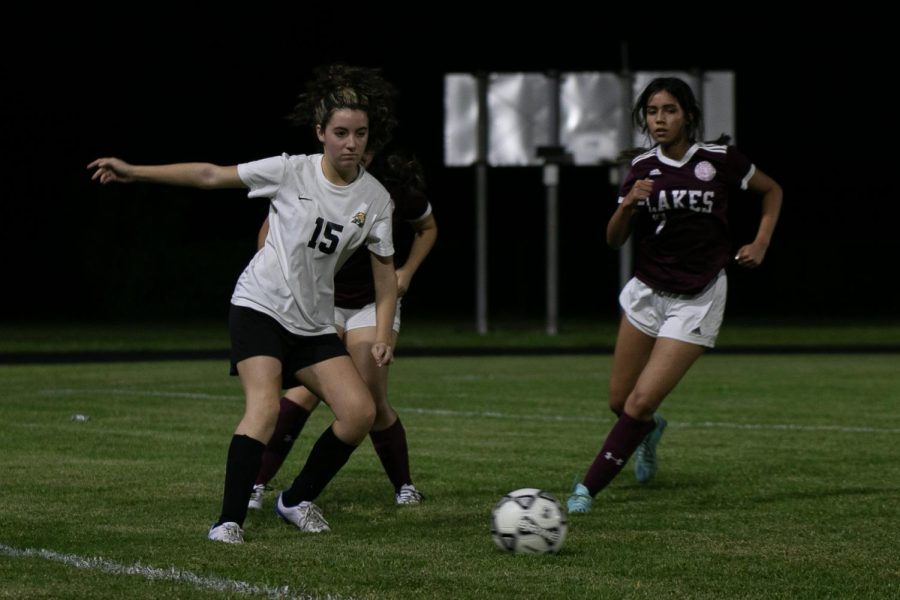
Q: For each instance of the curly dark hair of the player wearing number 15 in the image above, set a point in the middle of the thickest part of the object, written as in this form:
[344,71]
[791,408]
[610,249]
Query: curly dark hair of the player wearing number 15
[340,86]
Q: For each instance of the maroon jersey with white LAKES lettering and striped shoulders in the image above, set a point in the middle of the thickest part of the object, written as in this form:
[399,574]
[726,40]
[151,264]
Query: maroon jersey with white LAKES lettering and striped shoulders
[682,234]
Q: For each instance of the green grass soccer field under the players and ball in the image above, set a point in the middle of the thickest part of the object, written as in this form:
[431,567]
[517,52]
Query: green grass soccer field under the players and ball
[779,478]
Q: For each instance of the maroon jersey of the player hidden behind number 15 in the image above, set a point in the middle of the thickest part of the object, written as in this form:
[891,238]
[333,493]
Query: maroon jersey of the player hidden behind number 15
[353,284]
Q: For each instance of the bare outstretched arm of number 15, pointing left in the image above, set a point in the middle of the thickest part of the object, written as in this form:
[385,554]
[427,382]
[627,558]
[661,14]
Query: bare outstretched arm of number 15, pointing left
[198,175]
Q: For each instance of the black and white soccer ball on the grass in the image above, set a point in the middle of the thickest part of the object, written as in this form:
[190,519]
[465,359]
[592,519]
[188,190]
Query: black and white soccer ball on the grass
[528,521]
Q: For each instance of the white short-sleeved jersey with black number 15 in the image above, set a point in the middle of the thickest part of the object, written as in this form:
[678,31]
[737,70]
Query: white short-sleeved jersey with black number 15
[314,226]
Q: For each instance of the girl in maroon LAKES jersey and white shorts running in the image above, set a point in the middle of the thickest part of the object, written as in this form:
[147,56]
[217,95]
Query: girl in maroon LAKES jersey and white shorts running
[674,200]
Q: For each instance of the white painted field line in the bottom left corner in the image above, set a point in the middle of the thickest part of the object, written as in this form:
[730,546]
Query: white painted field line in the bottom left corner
[155,574]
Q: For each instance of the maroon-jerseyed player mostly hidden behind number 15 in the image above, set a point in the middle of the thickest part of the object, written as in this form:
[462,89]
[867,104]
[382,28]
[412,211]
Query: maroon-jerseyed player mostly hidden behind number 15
[355,320]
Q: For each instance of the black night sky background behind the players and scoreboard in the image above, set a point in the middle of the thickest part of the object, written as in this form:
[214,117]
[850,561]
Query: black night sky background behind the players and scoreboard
[812,111]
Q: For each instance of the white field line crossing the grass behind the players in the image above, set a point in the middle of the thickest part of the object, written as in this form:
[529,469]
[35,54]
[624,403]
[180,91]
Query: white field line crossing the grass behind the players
[519,417]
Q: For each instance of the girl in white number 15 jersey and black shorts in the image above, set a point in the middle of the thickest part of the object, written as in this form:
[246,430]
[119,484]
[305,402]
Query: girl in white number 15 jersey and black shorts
[322,208]
